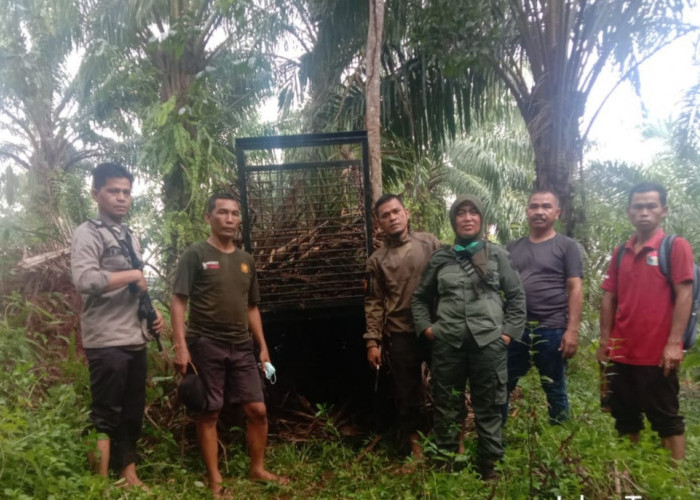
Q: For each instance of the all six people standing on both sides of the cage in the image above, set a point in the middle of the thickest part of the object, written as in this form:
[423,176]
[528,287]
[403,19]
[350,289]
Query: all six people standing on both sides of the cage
[473,310]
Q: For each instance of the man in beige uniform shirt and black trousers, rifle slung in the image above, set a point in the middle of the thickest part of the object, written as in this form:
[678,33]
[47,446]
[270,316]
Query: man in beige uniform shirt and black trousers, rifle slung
[112,333]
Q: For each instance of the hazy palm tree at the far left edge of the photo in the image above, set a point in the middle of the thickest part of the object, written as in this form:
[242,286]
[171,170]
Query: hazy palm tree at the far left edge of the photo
[48,135]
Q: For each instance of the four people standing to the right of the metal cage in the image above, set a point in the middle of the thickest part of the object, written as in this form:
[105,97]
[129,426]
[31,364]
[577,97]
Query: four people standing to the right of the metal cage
[480,313]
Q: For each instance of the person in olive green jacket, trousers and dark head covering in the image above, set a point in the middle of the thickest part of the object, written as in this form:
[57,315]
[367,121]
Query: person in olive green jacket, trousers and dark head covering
[478,302]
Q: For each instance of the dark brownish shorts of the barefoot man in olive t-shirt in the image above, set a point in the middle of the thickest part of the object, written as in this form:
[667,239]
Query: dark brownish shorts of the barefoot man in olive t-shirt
[229,371]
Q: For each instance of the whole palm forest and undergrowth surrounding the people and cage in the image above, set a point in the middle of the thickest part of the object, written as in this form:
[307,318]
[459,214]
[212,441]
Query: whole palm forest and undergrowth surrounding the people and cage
[492,98]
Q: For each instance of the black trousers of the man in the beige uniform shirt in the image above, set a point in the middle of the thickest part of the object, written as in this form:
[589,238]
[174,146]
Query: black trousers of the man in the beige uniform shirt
[118,388]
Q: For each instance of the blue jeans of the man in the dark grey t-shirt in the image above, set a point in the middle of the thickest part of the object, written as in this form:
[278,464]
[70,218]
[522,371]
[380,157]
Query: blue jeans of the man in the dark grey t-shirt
[541,348]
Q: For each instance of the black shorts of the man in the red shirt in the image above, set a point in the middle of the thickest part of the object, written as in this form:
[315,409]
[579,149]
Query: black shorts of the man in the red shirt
[637,390]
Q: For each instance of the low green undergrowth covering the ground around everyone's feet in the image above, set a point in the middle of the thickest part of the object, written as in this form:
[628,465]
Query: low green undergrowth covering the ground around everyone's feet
[44,398]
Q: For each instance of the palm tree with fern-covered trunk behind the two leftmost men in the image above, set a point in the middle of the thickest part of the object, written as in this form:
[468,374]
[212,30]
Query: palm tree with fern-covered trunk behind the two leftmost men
[189,75]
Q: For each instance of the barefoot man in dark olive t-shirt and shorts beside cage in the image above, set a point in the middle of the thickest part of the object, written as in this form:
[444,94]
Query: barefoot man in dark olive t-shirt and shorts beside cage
[219,282]
